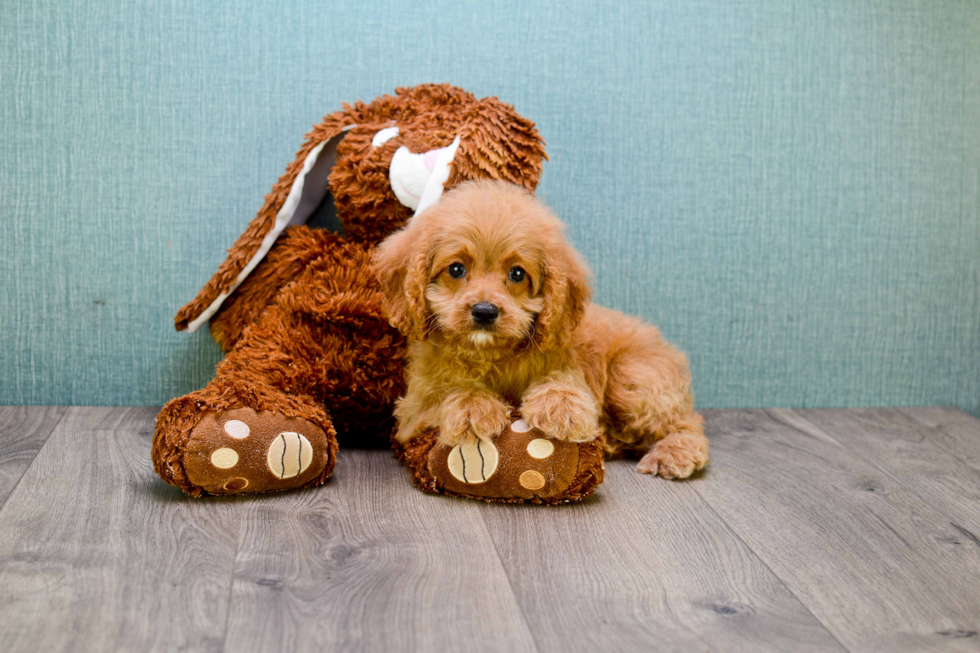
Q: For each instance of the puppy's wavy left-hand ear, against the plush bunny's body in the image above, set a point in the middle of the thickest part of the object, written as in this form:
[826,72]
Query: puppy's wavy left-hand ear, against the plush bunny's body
[401,264]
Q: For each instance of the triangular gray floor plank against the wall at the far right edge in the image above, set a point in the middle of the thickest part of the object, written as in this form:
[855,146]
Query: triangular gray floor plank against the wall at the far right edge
[939,465]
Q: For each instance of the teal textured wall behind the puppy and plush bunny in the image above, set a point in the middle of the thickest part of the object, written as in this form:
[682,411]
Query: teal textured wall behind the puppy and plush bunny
[788,188]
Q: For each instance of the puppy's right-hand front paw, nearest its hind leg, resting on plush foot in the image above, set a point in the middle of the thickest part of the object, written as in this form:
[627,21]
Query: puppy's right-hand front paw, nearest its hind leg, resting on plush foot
[563,406]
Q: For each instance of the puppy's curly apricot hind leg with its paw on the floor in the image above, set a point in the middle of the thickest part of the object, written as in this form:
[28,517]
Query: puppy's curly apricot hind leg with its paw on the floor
[650,409]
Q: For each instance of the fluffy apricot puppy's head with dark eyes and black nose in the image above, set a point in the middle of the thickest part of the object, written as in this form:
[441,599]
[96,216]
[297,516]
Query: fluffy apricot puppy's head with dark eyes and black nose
[488,266]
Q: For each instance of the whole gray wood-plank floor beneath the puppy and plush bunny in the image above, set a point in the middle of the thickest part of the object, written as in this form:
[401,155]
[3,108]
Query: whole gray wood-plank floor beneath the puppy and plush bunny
[812,530]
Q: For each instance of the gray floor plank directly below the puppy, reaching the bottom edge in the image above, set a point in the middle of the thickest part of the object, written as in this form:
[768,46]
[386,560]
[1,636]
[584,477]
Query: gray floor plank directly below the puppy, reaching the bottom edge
[645,565]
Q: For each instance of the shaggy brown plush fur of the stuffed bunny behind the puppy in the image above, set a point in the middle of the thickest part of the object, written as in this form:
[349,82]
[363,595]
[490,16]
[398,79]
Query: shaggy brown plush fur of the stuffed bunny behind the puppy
[309,349]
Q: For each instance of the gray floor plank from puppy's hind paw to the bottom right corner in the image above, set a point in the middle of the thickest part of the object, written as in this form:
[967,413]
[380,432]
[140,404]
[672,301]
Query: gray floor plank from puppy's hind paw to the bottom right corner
[871,565]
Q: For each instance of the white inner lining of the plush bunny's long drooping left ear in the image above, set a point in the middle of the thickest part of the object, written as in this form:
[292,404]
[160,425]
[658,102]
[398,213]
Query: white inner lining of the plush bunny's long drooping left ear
[295,210]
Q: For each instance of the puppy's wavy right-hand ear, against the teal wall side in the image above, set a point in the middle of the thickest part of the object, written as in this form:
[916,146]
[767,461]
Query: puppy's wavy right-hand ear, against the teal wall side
[566,294]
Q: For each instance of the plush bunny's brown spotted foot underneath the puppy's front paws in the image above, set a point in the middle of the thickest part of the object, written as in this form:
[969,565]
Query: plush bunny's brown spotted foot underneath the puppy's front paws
[521,465]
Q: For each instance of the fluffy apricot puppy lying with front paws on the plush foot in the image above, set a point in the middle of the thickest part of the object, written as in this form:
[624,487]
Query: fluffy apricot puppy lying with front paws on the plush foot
[495,303]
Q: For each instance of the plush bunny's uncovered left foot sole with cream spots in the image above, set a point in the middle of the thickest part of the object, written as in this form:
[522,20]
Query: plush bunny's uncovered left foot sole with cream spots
[242,451]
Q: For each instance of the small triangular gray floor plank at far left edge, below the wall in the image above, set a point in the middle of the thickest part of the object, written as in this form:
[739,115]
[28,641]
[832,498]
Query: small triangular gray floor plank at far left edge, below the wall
[23,431]
